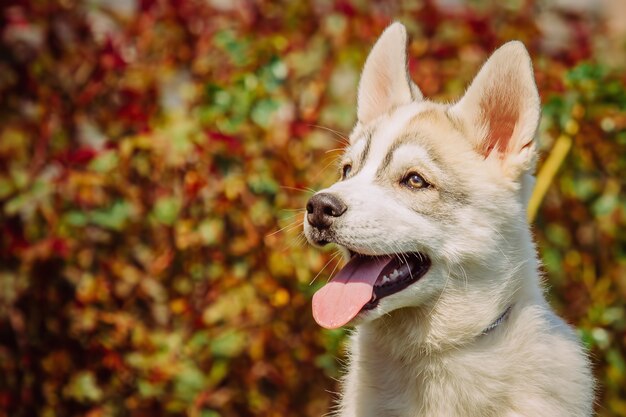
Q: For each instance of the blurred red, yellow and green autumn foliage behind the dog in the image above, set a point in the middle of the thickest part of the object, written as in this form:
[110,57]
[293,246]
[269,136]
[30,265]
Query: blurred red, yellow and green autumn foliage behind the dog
[155,157]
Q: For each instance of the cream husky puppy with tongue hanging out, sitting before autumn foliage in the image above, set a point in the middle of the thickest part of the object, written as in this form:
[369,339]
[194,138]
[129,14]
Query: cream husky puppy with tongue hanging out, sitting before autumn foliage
[443,283]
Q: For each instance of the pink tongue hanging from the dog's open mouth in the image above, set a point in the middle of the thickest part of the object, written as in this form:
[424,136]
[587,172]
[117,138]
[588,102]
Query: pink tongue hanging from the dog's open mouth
[339,301]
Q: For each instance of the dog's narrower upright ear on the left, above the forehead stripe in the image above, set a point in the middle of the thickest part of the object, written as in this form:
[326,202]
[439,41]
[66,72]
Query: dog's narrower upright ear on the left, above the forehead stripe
[385,81]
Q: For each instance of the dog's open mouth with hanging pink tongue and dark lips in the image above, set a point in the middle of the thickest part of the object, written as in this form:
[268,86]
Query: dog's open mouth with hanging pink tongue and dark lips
[362,283]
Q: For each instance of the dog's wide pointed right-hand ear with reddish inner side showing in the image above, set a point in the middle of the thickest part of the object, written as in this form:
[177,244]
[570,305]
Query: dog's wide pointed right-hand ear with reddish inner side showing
[501,108]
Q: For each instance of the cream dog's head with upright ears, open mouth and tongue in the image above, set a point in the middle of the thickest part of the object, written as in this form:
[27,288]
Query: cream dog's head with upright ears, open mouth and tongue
[431,201]
